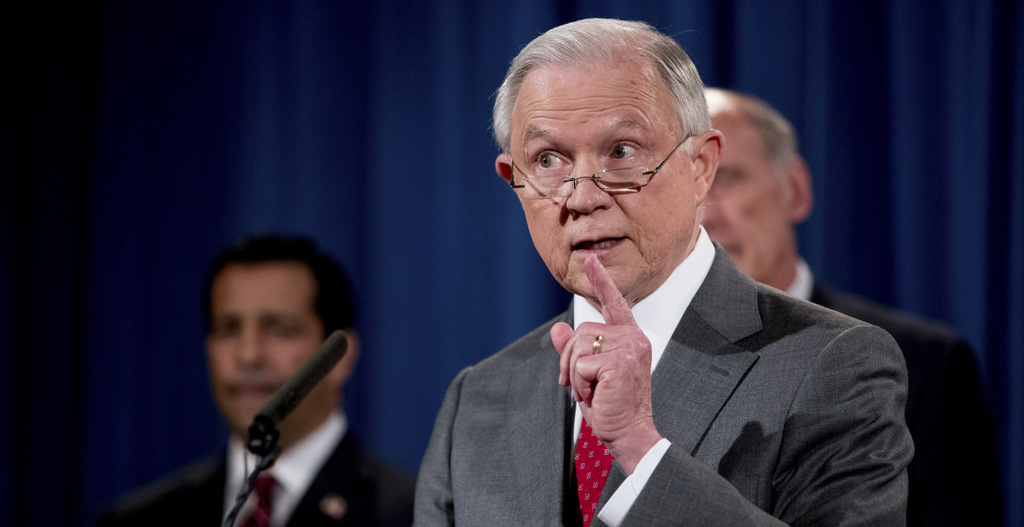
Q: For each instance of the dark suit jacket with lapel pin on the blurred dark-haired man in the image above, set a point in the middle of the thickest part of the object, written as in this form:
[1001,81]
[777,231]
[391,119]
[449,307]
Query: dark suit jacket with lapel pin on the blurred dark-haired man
[377,495]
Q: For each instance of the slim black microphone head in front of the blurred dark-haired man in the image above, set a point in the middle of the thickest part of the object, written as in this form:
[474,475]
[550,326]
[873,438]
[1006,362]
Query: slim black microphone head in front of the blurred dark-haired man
[264,432]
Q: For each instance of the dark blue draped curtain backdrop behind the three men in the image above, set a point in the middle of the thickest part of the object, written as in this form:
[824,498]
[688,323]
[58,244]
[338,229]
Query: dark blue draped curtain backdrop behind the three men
[140,139]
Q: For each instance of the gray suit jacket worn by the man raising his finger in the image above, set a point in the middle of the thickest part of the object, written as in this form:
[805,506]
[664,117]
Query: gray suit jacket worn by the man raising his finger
[780,412]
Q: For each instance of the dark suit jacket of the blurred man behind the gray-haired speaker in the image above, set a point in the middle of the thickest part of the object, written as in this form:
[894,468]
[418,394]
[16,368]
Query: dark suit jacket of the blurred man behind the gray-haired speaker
[954,476]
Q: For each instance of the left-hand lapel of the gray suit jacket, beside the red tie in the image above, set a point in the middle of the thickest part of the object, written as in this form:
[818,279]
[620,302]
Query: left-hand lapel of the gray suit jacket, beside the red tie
[539,413]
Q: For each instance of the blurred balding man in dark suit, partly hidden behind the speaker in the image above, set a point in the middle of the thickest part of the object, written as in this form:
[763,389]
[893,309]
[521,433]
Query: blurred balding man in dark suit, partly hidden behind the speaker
[761,193]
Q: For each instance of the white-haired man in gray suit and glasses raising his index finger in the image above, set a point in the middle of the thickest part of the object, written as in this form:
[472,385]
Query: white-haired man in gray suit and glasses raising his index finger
[675,391]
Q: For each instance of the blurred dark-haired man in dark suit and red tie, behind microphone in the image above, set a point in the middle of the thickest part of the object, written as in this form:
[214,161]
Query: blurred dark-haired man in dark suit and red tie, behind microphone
[272,301]
